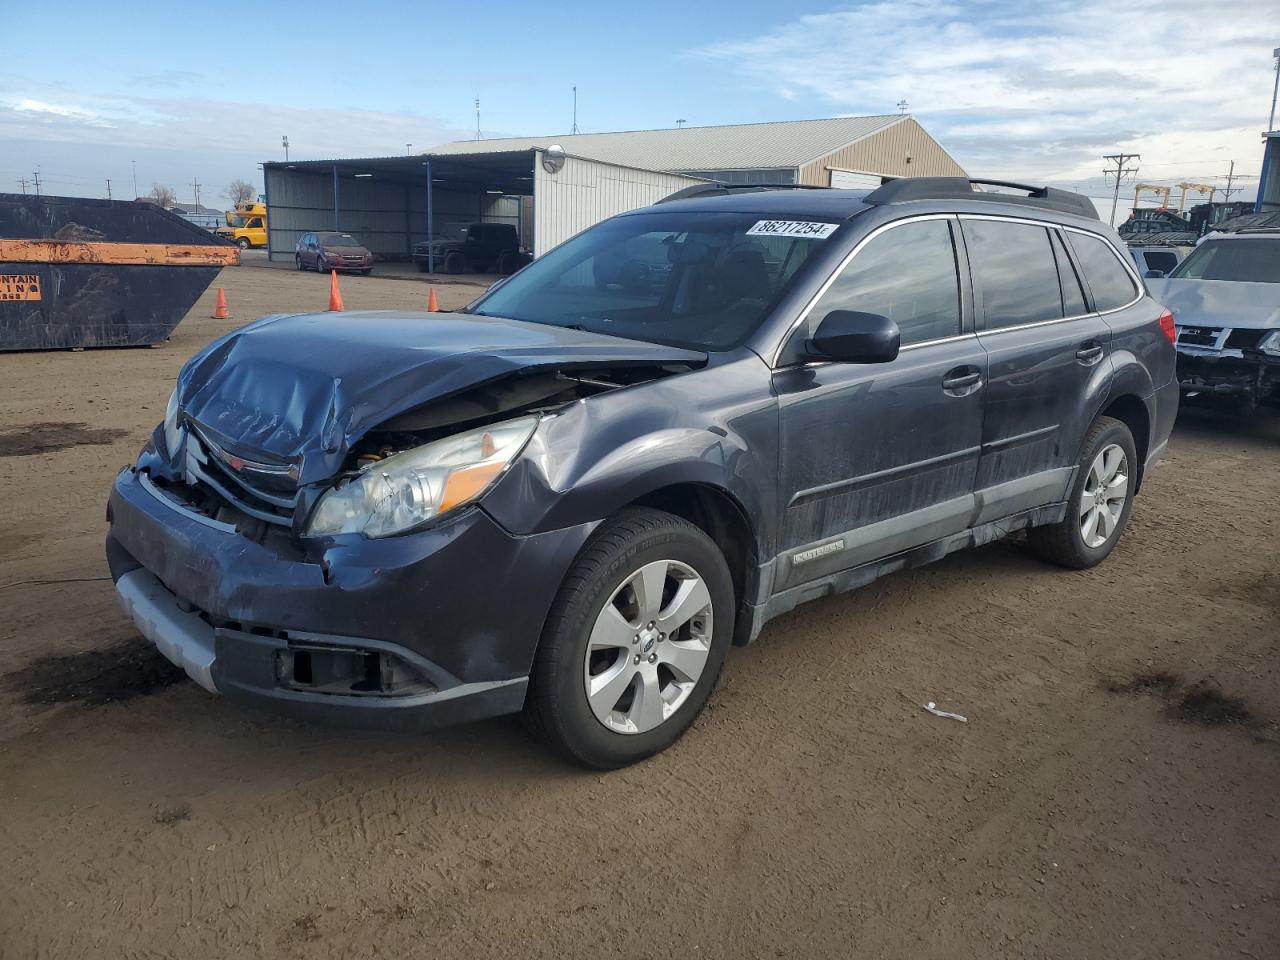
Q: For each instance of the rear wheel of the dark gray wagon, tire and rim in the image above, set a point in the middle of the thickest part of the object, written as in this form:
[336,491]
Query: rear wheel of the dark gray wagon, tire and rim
[1096,516]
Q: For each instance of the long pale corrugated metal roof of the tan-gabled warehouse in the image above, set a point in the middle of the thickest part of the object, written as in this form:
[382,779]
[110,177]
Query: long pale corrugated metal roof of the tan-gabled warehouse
[785,144]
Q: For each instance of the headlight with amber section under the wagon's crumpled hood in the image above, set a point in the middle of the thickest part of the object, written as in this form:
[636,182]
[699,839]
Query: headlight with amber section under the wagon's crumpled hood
[403,492]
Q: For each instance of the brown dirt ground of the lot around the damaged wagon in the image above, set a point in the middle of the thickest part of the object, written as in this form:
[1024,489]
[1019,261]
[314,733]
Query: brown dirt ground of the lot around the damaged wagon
[1116,793]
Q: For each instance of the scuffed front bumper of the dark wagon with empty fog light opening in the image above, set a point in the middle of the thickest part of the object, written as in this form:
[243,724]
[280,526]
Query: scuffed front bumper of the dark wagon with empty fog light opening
[459,606]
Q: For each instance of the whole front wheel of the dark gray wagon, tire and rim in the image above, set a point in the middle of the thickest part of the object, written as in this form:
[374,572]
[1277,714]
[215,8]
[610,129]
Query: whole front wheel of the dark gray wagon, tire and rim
[636,642]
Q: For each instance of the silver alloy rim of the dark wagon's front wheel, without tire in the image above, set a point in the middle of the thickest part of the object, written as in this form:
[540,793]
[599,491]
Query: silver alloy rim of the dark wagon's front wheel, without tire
[648,647]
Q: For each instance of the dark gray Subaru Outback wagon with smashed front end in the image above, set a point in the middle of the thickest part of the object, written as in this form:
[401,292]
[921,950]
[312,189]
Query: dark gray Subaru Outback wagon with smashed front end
[573,497]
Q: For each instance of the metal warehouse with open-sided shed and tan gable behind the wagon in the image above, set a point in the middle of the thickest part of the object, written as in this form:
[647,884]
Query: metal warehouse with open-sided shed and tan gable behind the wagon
[552,188]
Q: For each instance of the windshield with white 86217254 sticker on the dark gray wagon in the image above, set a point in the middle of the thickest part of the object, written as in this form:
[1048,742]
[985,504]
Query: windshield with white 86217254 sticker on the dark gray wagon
[689,280]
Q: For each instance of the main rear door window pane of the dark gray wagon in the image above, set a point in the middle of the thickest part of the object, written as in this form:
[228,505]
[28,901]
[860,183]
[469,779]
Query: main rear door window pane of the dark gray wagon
[1016,271]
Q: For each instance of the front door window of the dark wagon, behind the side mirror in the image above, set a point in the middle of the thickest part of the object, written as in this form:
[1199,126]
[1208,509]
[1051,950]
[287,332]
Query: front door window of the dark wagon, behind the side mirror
[908,275]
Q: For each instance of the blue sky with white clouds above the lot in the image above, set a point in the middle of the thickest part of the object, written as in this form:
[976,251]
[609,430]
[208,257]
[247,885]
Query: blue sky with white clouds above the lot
[1031,92]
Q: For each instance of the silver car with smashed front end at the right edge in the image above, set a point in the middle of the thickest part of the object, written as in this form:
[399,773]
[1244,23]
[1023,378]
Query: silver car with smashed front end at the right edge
[1226,299]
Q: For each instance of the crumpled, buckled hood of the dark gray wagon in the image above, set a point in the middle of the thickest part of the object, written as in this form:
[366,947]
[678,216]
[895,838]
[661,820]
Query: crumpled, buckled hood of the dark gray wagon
[305,388]
